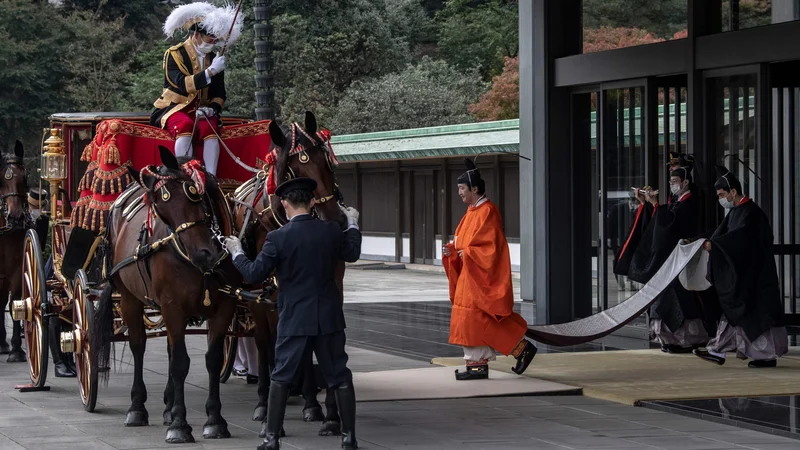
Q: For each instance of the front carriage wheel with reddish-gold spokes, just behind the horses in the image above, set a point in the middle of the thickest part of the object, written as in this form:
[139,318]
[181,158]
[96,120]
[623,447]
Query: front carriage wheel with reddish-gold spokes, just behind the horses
[82,318]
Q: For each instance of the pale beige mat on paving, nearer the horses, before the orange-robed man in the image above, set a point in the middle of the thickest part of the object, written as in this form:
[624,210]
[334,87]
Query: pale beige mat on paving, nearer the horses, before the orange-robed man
[440,383]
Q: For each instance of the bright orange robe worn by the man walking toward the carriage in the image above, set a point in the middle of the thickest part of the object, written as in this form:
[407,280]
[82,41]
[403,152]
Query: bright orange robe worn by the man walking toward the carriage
[480,283]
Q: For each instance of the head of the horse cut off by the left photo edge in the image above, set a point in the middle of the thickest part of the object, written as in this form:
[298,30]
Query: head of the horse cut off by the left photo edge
[13,191]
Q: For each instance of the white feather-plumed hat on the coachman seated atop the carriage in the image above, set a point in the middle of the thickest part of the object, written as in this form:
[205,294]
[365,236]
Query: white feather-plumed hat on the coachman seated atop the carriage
[206,18]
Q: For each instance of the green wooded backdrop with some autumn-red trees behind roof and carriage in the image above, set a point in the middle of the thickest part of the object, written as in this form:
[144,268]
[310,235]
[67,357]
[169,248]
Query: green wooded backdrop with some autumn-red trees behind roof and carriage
[360,65]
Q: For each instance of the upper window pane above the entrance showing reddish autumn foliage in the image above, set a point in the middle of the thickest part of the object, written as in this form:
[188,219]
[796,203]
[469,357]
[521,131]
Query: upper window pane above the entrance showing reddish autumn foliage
[615,24]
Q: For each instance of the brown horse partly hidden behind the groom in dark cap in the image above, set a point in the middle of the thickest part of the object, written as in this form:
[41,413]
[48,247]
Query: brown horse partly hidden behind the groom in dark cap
[301,152]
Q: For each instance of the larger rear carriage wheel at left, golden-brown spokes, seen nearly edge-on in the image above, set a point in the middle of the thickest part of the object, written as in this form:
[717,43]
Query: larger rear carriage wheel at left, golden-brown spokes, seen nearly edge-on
[34,294]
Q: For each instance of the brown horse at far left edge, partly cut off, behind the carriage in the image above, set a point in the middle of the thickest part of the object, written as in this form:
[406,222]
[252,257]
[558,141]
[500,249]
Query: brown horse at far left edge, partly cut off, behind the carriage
[14,221]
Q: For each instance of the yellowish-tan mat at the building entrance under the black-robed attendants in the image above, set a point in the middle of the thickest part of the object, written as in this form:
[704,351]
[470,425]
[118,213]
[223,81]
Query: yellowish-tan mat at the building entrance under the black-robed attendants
[629,376]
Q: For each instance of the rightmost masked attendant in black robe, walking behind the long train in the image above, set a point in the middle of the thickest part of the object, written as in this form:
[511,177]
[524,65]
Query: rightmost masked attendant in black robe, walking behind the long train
[742,268]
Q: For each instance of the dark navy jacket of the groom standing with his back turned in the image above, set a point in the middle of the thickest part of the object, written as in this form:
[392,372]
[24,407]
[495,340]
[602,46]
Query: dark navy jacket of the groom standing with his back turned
[304,254]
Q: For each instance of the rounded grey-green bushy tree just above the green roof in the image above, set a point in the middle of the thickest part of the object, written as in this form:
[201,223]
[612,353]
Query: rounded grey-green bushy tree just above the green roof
[431,93]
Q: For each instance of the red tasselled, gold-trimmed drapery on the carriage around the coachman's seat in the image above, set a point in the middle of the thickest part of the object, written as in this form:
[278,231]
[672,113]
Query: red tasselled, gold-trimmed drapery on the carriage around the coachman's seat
[118,145]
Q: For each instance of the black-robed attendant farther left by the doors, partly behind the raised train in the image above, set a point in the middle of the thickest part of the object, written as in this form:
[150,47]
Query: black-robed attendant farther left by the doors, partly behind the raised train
[677,314]
